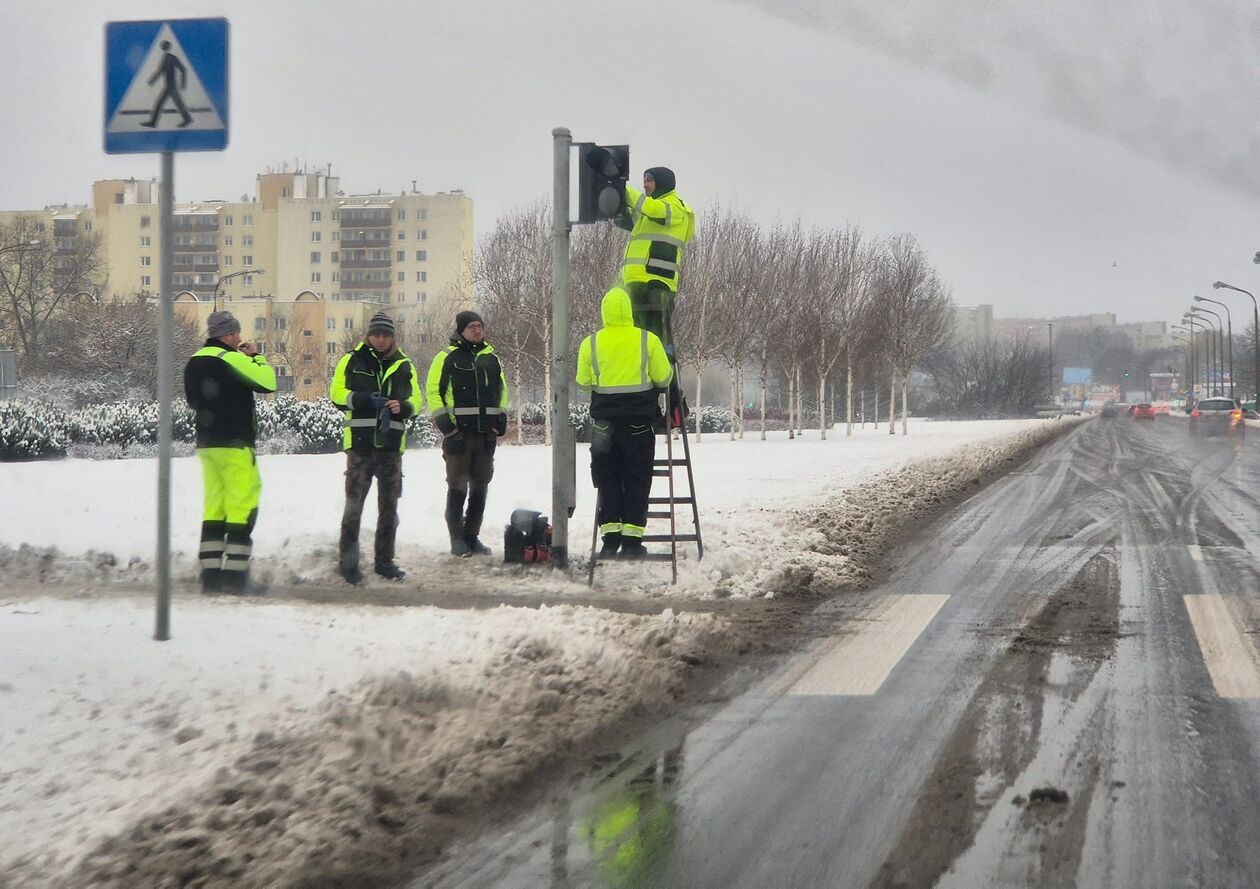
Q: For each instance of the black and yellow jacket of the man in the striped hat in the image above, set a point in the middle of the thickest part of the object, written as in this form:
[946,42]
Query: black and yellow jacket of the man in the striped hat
[361,375]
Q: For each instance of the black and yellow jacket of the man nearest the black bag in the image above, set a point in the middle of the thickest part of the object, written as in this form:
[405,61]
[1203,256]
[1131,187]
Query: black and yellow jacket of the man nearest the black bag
[467,388]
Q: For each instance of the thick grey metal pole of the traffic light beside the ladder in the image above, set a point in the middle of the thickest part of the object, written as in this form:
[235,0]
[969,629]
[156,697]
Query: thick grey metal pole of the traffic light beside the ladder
[564,436]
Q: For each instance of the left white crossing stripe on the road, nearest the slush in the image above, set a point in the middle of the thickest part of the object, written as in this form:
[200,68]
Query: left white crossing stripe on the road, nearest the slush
[860,664]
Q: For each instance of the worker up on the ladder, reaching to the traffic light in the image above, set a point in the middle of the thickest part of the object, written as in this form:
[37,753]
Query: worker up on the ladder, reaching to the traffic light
[661,226]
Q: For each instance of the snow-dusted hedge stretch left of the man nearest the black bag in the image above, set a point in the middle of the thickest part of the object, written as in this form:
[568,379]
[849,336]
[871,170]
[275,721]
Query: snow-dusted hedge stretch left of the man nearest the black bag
[31,430]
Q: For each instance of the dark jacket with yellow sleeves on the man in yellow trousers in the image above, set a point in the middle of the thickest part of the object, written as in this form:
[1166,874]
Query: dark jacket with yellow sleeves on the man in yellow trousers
[220,385]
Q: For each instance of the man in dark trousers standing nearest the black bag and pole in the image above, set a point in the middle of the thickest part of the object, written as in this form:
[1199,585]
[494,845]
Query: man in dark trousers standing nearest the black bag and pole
[468,401]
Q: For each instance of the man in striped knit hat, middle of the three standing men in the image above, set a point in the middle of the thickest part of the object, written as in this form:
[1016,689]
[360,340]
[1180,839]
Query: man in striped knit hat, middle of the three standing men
[377,388]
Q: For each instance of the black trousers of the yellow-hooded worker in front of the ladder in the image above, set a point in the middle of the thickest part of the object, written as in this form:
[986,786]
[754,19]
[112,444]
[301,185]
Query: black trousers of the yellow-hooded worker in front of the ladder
[622,456]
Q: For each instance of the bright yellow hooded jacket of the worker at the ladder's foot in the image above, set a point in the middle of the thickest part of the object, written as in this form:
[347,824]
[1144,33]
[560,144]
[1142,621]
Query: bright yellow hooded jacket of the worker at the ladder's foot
[622,366]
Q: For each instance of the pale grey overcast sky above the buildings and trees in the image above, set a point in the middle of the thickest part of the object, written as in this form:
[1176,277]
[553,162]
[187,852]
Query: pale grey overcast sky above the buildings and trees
[1050,162]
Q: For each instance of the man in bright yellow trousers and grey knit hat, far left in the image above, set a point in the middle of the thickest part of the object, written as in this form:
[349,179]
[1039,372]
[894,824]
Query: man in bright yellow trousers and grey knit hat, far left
[220,383]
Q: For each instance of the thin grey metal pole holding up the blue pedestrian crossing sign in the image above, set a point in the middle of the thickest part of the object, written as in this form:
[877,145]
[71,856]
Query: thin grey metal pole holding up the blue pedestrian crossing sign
[167,312]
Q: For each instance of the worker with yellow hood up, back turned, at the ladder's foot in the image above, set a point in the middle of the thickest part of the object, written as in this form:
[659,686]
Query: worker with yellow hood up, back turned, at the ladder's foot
[624,368]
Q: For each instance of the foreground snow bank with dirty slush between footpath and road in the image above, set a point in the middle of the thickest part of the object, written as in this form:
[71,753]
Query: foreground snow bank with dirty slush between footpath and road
[319,741]
